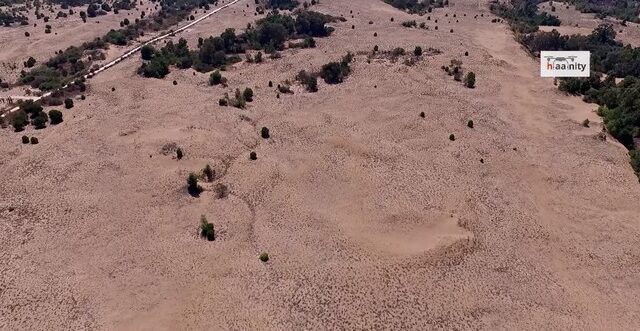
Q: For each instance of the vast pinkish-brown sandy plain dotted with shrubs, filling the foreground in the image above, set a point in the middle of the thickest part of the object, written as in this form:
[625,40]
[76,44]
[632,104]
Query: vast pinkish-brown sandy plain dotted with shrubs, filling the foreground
[372,217]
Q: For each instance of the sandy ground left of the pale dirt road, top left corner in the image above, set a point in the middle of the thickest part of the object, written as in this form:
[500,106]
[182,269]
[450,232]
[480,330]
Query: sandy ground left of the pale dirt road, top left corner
[65,32]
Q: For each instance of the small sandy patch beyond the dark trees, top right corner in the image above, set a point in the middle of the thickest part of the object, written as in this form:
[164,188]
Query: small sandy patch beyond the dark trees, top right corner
[573,21]
